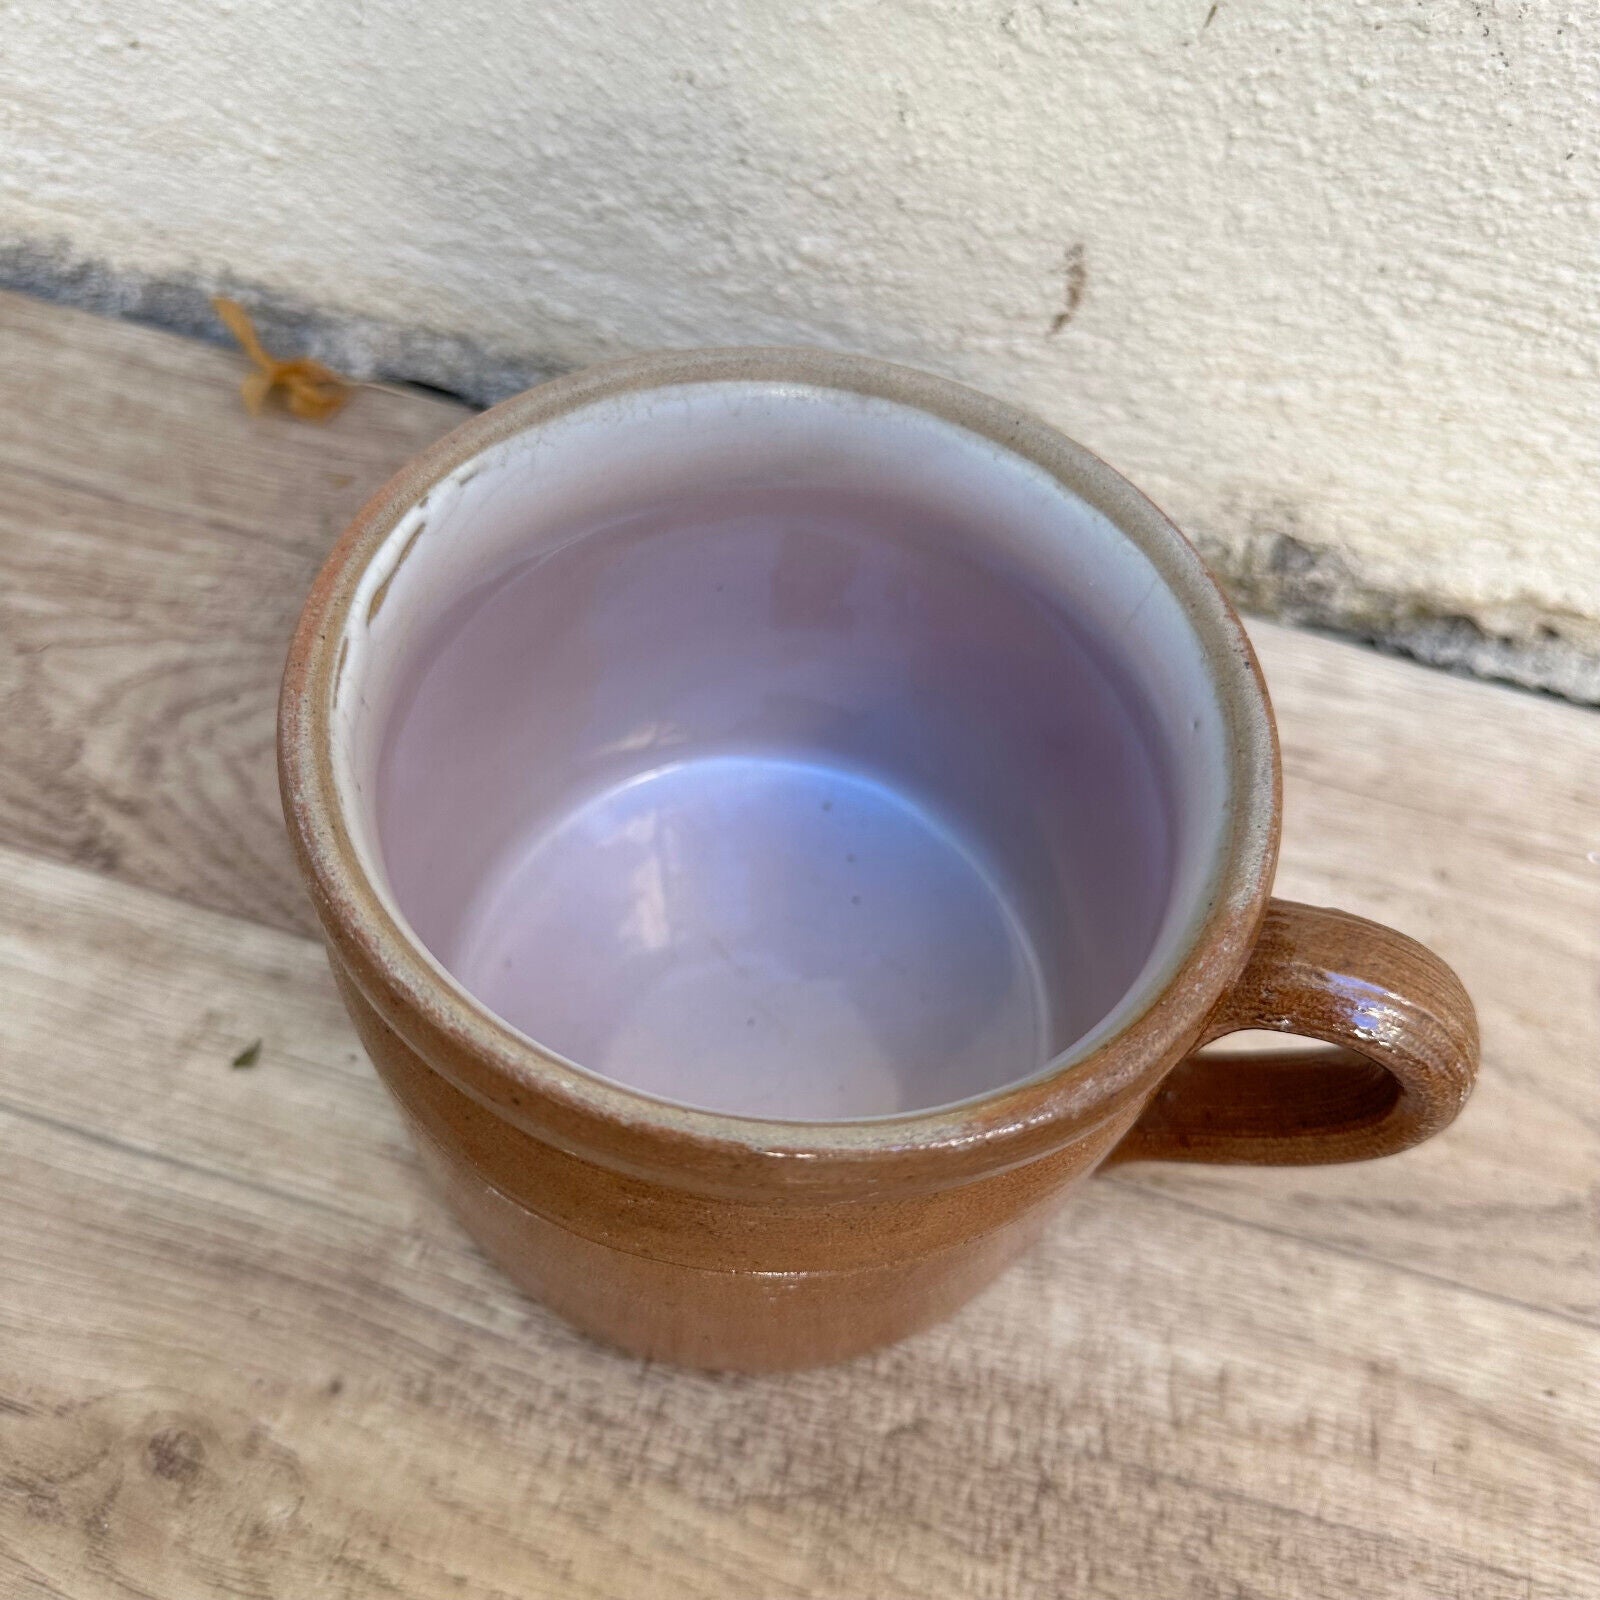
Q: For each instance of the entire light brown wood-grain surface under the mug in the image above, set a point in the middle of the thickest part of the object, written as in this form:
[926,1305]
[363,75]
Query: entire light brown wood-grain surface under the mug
[242,1353]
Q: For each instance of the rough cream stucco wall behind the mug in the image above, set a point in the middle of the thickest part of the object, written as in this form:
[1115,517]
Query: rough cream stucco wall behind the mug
[1324,279]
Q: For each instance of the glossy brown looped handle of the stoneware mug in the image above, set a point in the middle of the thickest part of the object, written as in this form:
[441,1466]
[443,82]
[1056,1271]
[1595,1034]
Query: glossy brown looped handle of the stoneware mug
[1407,1036]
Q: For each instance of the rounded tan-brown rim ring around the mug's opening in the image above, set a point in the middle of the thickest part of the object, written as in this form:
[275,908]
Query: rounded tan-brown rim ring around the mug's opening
[626,1129]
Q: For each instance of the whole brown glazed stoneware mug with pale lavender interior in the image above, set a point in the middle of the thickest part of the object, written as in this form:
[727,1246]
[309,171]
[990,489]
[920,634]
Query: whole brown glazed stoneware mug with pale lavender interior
[782,820]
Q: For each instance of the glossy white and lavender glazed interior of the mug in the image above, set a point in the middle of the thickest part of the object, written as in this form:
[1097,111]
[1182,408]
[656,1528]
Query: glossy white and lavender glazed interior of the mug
[780,751]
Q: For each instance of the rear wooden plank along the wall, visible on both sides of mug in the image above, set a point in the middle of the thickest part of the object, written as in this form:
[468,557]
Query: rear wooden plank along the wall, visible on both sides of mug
[153,558]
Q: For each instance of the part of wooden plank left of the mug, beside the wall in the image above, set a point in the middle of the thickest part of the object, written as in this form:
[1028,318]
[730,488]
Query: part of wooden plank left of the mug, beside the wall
[156,543]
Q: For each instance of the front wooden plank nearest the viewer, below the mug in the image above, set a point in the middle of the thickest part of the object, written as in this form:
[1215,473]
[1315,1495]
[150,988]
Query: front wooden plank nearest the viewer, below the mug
[246,1354]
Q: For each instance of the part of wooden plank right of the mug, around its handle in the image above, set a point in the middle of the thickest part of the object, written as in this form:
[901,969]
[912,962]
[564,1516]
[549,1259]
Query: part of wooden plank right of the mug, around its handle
[1468,817]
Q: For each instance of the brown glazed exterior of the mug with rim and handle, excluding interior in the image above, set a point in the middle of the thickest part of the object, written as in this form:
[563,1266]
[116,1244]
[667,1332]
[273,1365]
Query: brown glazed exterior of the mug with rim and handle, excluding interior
[732,1242]
